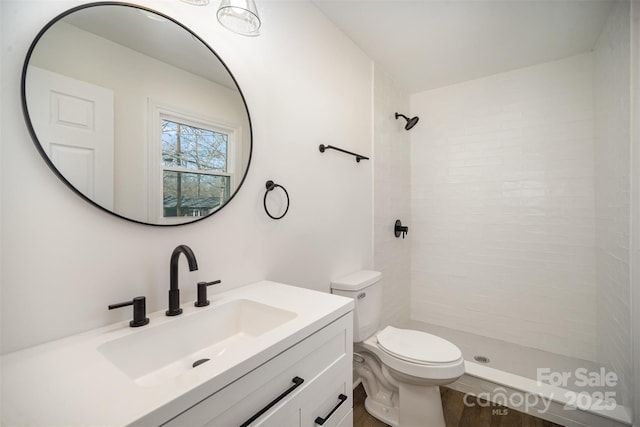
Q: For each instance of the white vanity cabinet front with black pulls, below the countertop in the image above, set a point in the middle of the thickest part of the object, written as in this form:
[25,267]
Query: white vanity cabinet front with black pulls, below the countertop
[311,379]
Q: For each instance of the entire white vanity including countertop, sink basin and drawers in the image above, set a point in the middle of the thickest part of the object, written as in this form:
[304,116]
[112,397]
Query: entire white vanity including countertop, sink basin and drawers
[255,340]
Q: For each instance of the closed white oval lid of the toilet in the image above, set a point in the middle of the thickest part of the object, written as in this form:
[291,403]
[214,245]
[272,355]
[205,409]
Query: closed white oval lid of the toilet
[417,347]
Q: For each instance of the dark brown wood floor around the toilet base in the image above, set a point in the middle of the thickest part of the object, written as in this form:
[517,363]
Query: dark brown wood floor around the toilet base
[456,413]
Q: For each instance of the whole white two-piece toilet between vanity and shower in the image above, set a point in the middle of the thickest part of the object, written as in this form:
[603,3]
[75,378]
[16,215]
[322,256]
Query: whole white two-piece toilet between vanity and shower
[400,369]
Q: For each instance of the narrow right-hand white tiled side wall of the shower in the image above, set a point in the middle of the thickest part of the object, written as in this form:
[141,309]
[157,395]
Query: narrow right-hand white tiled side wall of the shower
[612,191]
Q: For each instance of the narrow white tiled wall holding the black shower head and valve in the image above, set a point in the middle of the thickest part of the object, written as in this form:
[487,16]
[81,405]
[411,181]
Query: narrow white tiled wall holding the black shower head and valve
[391,183]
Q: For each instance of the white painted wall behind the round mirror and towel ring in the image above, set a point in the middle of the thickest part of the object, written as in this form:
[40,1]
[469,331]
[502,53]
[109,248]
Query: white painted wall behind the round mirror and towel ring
[63,261]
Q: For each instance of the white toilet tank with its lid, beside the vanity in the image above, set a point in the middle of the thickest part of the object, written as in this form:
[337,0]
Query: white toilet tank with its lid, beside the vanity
[365,289]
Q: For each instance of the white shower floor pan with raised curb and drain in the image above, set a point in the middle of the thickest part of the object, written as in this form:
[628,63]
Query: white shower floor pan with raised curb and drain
[507,374]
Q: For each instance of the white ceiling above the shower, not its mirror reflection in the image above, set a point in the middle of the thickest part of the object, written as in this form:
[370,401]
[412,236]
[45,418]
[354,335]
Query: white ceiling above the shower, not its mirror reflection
[425,44]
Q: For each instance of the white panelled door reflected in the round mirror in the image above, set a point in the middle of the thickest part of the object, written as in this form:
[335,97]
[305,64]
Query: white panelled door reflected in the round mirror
[74,124]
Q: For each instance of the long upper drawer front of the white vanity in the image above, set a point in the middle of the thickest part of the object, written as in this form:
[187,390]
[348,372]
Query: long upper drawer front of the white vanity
[241,399]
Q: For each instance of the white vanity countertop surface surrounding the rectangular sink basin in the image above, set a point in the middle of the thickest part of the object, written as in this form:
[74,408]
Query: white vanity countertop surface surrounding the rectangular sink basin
[68,382]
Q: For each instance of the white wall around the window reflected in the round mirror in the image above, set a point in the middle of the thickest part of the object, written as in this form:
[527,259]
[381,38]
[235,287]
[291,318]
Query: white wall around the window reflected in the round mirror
[70,51]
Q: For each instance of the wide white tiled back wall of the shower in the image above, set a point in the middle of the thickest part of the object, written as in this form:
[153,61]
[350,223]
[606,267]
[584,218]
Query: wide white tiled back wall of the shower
[503,240]
